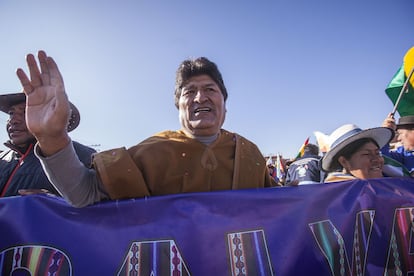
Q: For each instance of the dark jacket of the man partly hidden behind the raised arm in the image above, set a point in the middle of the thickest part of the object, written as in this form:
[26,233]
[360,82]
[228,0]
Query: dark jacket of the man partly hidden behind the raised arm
[20,168]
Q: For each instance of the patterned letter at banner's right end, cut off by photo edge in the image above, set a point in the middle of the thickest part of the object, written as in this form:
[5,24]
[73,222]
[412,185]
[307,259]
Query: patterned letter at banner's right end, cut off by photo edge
[400,259]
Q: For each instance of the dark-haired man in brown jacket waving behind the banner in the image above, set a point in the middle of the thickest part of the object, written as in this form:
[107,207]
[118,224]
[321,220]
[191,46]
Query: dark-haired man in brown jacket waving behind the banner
[201,155]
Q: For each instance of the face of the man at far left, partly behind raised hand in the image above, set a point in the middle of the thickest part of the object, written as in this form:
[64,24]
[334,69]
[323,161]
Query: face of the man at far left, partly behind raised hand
[16,126]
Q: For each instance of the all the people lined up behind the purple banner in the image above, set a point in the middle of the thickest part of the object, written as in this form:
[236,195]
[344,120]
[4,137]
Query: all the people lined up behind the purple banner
[202,155]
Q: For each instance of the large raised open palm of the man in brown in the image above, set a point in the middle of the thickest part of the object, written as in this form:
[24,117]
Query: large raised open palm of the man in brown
[47,106]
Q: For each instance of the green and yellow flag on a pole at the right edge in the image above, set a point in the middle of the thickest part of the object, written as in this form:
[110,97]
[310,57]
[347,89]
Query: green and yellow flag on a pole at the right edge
[403,103]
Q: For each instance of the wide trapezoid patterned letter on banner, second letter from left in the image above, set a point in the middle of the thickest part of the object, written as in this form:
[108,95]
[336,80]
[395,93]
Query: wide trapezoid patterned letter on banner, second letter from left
[154,258]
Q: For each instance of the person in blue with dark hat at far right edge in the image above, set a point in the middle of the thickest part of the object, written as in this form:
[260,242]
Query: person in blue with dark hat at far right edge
[404,151]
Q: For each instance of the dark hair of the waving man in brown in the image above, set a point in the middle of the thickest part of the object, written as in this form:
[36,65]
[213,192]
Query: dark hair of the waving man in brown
[195,67]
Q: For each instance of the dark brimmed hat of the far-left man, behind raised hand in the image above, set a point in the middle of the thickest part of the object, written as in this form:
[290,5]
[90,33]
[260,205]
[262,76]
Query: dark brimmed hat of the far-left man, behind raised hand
[8,100]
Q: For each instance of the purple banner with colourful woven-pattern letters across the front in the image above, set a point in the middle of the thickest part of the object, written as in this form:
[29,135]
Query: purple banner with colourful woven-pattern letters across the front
[347,228]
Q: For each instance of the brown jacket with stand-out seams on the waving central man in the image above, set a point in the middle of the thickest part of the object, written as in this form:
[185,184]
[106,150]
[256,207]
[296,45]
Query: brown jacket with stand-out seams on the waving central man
[170,162]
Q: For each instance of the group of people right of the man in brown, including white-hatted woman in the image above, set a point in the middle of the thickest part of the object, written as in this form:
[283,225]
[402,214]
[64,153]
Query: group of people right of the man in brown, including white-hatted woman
[354,153]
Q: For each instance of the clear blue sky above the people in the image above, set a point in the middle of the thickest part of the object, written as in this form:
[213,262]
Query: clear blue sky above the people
[291,67]
